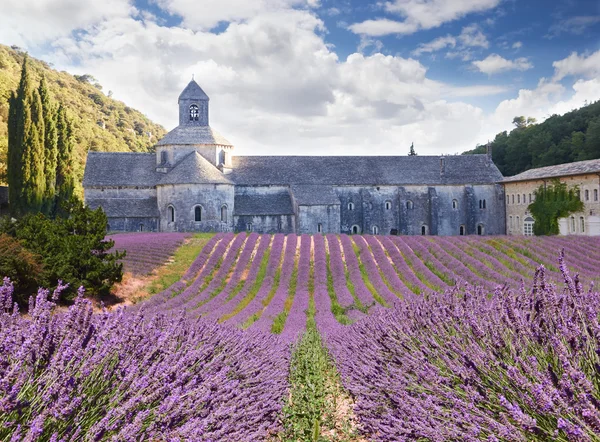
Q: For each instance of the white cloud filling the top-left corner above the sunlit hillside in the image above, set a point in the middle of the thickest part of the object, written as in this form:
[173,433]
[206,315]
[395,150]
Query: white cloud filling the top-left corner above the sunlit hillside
[32,22]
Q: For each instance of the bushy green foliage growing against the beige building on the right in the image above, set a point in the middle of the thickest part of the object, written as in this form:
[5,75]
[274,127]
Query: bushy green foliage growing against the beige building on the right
[552,202]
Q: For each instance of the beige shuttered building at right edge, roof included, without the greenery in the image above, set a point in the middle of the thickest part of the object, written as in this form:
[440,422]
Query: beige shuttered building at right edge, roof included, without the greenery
[519,190]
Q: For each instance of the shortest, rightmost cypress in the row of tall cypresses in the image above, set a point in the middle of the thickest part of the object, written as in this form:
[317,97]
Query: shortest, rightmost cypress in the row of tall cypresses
[65,180]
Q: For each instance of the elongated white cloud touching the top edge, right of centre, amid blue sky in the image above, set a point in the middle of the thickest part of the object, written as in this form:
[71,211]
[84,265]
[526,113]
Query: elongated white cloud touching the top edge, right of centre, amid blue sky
[421,14]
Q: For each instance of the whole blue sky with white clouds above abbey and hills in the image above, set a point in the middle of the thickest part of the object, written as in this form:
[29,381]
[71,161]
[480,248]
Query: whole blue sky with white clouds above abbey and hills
[328,77]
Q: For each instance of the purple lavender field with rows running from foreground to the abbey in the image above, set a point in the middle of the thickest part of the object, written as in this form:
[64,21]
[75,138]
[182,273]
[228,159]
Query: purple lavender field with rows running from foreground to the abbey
[422,339]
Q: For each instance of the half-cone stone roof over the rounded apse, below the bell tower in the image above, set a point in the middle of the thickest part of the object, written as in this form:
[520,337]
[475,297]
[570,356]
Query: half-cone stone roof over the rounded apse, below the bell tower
[194,169]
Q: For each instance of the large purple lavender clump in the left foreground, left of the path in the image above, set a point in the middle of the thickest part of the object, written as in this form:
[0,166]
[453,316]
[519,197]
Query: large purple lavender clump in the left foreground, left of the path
[128,377]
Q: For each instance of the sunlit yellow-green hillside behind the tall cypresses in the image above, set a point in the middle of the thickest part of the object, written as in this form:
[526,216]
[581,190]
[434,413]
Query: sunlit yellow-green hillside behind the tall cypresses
[100,123]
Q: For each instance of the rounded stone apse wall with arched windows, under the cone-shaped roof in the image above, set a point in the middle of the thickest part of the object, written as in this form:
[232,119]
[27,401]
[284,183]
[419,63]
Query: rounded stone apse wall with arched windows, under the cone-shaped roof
[184,198]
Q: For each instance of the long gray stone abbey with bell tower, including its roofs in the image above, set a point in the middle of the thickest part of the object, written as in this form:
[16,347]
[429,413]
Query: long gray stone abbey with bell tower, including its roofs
[195,183]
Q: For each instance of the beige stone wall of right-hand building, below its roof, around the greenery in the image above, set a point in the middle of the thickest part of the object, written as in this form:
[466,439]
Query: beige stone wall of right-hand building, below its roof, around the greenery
[521,193]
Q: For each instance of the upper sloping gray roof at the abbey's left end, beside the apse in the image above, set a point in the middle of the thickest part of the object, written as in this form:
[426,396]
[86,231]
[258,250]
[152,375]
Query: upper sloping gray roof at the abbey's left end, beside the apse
[120,169]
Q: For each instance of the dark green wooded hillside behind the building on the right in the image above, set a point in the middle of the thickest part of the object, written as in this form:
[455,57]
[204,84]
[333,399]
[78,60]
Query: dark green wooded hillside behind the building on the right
[574,136]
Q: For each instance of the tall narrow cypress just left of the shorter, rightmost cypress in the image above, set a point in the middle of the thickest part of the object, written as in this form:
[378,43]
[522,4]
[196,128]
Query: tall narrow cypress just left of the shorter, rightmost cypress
[50,147]
